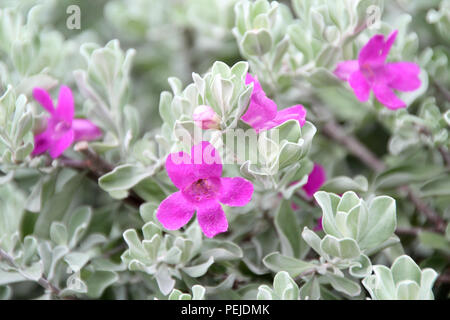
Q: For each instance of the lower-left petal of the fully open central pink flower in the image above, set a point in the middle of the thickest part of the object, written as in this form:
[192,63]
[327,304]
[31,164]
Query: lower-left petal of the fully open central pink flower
[175,211]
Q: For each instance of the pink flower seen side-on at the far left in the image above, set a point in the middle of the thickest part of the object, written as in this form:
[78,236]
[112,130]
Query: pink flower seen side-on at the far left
[62,129]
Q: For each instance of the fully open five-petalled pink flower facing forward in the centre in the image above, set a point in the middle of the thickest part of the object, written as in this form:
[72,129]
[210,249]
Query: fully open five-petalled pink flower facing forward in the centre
[201,188]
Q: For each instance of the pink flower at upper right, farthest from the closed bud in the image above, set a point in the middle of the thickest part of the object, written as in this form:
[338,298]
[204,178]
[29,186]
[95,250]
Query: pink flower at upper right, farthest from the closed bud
[371,72]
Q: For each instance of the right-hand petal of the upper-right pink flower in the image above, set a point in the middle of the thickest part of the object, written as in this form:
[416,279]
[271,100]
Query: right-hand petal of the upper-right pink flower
[403,76]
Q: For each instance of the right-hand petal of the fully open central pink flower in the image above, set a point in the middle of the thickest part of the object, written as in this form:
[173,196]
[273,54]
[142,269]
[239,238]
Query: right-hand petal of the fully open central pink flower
[235,192]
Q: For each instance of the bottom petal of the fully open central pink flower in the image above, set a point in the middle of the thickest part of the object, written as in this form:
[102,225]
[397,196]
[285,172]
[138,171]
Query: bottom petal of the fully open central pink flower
[212,219]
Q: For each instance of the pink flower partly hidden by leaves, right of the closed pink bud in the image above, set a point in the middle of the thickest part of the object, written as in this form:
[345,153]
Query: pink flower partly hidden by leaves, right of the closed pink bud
[262,112]
